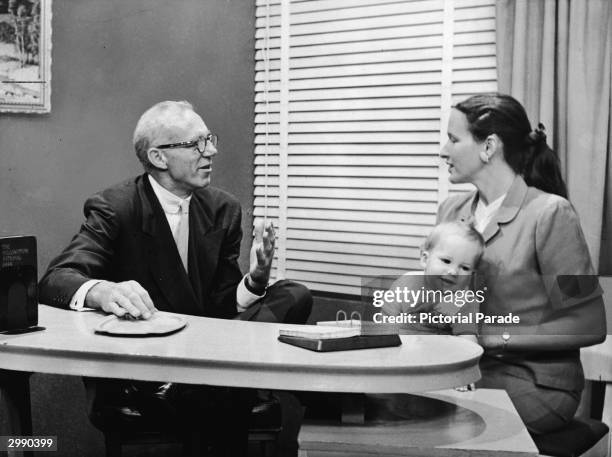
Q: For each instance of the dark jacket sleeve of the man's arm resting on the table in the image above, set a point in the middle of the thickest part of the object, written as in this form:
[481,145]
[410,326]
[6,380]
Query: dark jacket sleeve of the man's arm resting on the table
[88,256]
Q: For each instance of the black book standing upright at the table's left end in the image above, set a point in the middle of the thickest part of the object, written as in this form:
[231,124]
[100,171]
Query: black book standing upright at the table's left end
[18,283]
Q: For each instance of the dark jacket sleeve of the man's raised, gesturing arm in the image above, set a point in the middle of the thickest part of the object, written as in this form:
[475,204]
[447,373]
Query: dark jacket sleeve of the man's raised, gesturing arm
[228,274]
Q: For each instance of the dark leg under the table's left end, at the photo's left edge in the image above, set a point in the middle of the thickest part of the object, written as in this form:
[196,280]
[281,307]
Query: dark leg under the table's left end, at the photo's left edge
[15,406]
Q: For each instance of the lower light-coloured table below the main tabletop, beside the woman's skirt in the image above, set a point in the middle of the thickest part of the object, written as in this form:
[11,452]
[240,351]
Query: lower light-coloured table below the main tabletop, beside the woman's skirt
[447,423]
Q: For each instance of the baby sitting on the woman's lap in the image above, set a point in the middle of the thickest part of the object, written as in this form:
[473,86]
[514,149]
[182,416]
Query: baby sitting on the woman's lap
[437,296]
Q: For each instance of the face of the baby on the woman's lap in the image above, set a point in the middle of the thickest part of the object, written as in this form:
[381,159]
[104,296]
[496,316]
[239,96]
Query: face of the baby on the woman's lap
[450,263]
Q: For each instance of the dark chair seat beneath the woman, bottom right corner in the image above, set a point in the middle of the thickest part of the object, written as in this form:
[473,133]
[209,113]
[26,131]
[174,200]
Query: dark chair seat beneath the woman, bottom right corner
[580,438]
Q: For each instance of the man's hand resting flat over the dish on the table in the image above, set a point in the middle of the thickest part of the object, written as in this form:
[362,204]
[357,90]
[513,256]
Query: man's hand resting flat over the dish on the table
[121,298]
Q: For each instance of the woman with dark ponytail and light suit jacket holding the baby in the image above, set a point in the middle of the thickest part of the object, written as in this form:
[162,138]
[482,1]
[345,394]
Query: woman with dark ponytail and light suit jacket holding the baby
[536,263]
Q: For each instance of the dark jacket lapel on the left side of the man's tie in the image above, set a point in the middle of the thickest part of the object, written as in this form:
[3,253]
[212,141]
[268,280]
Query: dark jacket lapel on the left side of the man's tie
[163,257]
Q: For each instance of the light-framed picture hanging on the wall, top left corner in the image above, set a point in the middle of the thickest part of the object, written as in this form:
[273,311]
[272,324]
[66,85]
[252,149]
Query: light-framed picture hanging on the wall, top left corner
[25,56]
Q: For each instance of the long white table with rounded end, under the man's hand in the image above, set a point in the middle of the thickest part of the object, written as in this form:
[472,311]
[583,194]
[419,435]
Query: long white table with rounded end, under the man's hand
[228,353]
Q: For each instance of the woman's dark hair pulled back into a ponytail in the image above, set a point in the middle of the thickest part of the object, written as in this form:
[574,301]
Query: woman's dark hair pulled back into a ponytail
[525,150]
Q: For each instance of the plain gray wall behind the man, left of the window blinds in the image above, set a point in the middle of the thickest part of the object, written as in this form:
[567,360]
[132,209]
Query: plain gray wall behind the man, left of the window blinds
[111,60]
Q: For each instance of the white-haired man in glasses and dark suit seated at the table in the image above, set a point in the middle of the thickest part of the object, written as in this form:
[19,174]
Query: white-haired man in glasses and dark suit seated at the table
[167,240]
